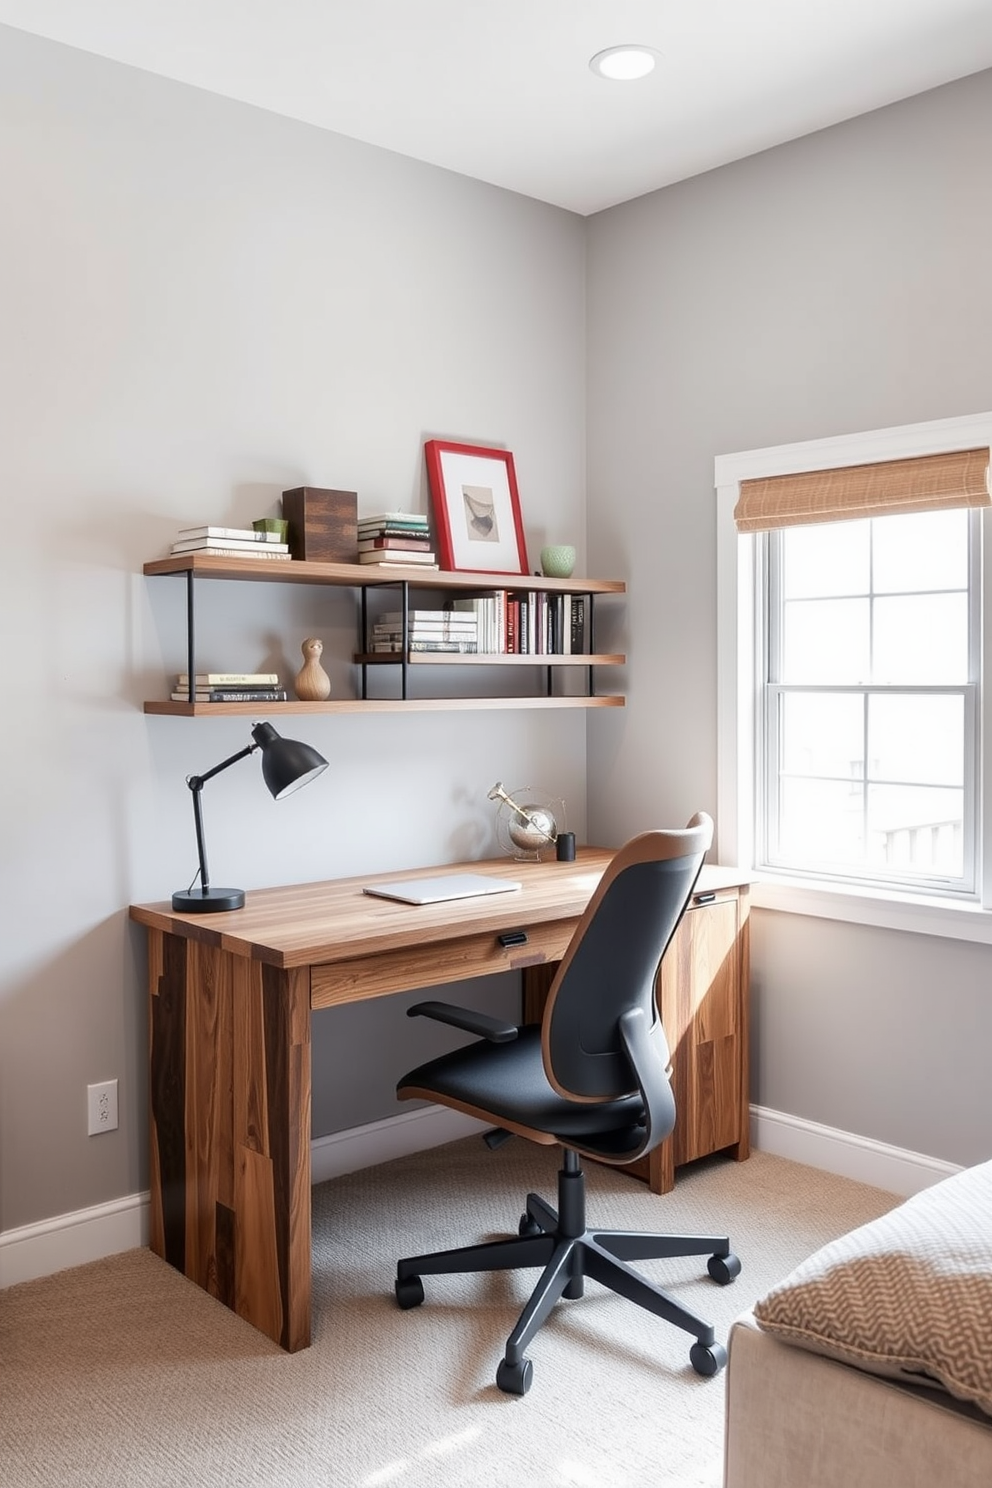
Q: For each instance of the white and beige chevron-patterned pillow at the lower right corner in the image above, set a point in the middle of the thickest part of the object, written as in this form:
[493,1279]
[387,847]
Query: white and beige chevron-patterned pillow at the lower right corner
[908,1295]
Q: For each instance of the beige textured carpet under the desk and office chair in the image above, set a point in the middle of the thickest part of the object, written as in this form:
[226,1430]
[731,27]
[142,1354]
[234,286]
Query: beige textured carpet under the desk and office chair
[124,1376]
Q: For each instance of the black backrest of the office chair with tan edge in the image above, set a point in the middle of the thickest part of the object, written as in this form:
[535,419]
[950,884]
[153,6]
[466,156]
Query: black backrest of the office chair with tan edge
[613,959]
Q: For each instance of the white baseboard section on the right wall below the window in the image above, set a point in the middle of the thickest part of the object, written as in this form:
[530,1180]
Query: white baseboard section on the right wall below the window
[846,1154]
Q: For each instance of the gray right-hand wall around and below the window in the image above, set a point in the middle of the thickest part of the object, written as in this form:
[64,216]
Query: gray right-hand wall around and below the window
[832,285]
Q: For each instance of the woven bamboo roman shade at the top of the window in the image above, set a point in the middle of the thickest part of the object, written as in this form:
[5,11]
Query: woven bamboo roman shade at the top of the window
[926,484]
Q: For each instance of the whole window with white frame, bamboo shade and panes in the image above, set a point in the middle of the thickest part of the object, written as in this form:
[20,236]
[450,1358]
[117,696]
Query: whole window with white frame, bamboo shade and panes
[854,731]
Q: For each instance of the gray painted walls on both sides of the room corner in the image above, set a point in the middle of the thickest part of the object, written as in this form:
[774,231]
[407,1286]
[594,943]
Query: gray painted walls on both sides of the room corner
[204,304]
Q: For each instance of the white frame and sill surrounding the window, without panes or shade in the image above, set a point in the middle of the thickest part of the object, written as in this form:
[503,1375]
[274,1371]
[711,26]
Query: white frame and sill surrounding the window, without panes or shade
[737,687]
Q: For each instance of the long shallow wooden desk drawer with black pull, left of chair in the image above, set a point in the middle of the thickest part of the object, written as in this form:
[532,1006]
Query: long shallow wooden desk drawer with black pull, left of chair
[434,965]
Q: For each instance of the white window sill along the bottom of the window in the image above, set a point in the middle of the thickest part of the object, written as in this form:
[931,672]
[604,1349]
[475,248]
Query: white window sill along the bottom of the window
[875,907]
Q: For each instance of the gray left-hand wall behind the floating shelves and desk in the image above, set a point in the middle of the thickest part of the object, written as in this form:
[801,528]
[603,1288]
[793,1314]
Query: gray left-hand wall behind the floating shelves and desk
[202,306]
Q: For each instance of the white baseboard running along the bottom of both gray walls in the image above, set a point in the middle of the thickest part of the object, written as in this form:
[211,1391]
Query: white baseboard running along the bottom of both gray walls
[71,1240]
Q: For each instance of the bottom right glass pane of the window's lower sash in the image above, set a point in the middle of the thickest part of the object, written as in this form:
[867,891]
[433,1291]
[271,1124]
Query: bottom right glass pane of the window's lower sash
[917,831]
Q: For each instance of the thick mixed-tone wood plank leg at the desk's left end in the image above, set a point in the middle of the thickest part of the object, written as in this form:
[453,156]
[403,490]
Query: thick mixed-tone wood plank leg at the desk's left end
[230,1126]
